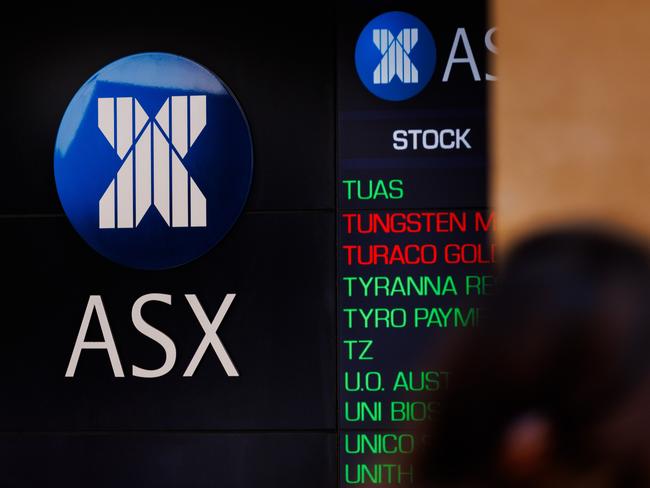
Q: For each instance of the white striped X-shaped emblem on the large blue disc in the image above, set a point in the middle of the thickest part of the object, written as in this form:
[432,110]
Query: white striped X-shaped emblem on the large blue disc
[151,152]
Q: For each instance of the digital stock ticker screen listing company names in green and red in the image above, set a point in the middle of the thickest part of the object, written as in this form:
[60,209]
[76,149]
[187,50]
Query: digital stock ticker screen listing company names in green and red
[413,253]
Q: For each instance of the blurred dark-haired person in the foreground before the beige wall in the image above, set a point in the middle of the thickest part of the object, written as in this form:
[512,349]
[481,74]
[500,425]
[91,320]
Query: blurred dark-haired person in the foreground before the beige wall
[553,390]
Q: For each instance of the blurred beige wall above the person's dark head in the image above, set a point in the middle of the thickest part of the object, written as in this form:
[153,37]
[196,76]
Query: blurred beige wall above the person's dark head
[571,115]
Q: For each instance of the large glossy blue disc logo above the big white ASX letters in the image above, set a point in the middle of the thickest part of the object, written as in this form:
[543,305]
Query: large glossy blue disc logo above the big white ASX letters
[153,161]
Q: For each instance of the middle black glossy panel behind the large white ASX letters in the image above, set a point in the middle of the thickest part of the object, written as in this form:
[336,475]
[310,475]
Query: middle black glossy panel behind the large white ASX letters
[278,331]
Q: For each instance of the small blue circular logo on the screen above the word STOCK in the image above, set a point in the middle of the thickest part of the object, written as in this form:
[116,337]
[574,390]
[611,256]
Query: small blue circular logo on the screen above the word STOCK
[395,56]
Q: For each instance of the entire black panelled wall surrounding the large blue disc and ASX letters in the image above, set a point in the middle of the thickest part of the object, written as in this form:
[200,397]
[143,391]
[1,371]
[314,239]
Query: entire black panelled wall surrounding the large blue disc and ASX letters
[274,424]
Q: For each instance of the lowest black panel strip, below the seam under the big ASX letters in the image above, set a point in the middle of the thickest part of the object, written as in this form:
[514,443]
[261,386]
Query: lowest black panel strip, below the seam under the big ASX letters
[179,460]
